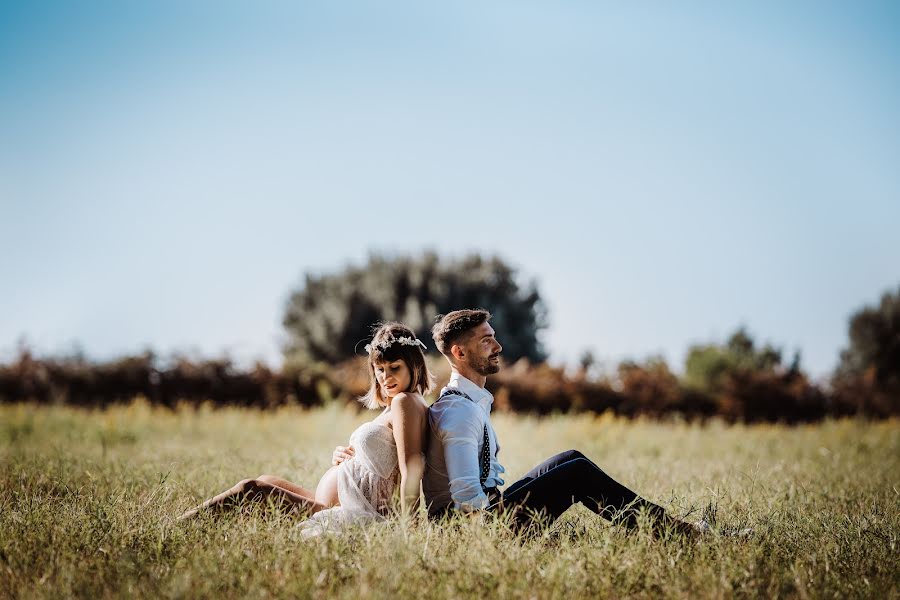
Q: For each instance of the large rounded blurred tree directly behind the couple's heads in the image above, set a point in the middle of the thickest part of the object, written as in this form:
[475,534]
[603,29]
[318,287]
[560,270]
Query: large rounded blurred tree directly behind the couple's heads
[329,317]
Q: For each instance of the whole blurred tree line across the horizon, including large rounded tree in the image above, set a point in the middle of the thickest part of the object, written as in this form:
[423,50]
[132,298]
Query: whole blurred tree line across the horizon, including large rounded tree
[329,315]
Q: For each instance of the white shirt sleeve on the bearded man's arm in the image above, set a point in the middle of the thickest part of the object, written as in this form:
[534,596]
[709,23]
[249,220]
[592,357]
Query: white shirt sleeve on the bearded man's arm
[461,428]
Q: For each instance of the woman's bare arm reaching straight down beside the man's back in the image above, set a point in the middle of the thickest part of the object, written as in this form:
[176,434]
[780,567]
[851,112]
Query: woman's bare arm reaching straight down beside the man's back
[408,421]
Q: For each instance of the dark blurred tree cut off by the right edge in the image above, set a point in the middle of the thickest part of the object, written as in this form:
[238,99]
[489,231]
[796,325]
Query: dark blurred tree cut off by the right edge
[870,366]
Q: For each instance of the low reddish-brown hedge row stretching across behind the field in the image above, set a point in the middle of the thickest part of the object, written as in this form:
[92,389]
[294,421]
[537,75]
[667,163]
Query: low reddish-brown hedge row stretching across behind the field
[650,390]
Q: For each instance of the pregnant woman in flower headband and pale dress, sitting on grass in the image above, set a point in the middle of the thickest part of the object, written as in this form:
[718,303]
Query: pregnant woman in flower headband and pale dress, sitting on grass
[383,453]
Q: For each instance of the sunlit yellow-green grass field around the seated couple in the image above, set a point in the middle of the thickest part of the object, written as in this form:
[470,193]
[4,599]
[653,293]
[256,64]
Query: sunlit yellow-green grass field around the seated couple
[88,502]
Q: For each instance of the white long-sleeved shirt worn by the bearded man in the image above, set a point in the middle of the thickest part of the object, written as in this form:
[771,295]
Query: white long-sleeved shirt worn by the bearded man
[455,437]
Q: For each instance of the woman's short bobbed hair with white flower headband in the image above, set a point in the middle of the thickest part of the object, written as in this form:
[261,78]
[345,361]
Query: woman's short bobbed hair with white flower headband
[386,347]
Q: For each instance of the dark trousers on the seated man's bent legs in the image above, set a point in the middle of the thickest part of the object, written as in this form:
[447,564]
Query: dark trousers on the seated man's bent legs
[553,486]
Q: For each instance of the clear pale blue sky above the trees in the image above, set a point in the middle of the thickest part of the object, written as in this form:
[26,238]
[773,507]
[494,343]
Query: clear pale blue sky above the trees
[665,172]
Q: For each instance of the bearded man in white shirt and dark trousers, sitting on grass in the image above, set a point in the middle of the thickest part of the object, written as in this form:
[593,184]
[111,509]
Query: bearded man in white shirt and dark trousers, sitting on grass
[462,471]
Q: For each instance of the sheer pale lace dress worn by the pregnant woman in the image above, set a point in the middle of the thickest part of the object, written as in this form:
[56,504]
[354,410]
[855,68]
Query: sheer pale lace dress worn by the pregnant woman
[366,482]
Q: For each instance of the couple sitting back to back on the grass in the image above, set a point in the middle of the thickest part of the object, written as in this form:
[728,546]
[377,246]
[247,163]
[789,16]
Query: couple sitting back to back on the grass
[450,448]
